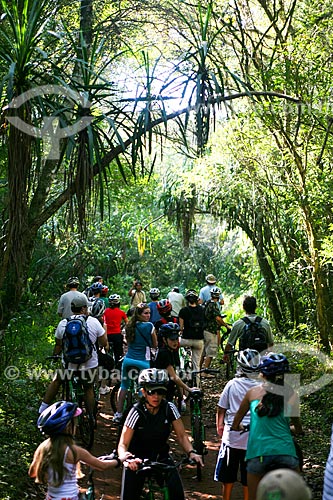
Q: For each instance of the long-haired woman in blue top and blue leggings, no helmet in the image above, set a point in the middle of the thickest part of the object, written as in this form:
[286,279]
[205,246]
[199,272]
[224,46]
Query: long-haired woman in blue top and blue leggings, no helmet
[140,337]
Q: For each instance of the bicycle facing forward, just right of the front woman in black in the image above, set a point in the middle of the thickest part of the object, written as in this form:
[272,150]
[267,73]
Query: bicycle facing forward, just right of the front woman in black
[198,430]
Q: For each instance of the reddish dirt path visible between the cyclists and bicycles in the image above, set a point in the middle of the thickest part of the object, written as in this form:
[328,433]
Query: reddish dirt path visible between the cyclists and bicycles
[109,483]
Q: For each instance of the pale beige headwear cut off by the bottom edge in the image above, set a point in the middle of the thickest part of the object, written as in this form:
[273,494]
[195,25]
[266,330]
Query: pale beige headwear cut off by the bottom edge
[283,484]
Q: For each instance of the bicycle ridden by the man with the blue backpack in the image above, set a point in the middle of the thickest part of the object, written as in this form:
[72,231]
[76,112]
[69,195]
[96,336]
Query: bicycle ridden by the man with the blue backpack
[73,390]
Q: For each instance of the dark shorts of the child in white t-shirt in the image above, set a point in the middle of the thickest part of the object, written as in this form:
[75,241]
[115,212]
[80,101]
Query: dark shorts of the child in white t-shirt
[228,465]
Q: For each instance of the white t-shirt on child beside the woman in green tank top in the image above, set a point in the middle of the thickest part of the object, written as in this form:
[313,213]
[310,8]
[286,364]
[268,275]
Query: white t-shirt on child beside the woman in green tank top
[230,399]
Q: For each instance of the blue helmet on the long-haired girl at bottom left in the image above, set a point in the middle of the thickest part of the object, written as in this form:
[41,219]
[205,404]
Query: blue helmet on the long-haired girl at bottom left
[55,418]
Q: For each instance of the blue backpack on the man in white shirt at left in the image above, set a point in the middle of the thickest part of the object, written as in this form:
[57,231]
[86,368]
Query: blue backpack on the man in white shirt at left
[76,343]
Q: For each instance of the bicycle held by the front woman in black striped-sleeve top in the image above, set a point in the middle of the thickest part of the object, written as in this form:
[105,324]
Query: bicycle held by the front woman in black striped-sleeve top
[157,476]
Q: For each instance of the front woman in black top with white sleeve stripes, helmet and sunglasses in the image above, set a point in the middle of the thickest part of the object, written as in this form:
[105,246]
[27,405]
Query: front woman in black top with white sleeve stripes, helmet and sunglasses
[145,434]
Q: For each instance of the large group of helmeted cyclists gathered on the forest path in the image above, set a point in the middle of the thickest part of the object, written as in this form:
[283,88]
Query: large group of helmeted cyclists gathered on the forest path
[251,395]
